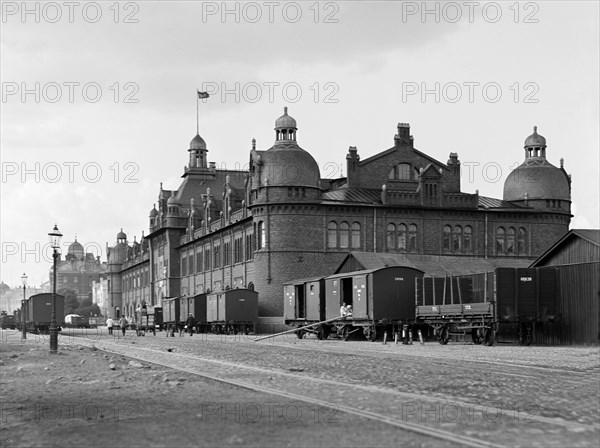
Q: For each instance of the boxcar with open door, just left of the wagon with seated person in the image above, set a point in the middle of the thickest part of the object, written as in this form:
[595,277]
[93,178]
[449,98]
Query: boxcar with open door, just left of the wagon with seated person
[304,304]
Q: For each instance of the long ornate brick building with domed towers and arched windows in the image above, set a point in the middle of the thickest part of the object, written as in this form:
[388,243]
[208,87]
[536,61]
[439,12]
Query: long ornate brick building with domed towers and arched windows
[280,220]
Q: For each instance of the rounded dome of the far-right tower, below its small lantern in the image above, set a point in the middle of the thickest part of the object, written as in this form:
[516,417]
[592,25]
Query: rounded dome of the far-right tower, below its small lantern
[539,179]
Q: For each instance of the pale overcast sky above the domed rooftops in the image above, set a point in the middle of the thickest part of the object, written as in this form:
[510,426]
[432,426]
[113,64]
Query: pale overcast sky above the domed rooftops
[99,106]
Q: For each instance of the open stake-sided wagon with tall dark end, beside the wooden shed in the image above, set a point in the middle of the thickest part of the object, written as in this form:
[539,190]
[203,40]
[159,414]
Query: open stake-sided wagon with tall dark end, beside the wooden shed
[508,302]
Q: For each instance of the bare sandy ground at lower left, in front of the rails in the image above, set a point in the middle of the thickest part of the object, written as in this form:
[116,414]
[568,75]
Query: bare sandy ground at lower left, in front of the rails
[85,397]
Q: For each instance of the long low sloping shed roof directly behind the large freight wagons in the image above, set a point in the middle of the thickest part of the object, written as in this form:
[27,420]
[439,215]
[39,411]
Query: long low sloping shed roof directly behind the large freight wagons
[435,264]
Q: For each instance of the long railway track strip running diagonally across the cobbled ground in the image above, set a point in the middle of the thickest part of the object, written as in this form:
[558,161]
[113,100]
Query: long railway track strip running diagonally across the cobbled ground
[404,410]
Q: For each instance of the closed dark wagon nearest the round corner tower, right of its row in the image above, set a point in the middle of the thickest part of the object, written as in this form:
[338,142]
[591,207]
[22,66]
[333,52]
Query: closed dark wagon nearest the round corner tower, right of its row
[232,311]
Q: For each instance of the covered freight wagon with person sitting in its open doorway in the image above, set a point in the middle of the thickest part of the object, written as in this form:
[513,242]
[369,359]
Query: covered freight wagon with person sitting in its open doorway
[381,300]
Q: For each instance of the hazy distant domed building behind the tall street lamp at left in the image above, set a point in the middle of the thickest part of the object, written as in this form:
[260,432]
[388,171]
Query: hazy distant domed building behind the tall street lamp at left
[77,271]
